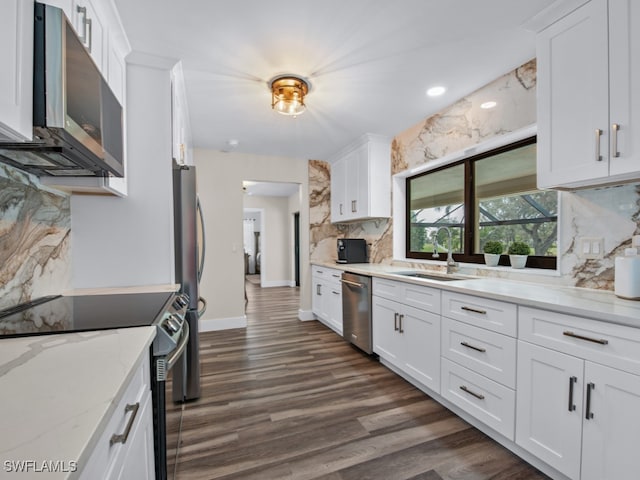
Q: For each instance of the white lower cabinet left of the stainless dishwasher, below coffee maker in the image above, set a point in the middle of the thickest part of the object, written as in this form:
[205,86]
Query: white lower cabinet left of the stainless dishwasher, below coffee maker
[326,302]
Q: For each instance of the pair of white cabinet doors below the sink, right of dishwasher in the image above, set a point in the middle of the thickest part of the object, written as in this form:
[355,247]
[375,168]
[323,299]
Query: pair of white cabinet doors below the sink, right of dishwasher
[409,339]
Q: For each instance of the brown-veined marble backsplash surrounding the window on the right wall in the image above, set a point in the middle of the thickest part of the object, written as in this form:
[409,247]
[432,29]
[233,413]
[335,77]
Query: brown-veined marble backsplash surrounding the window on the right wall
[611,213]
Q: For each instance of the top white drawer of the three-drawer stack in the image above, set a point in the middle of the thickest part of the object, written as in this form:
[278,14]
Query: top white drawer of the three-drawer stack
[493,315]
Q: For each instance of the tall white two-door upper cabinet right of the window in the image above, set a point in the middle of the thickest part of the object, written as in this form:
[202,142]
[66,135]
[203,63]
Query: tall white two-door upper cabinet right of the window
[588,64]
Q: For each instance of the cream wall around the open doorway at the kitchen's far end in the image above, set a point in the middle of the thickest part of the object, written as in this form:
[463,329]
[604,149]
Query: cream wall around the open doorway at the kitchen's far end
[220,177]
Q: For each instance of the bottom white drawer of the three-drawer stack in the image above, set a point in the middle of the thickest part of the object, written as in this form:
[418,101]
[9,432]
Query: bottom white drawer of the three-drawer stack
[488,401]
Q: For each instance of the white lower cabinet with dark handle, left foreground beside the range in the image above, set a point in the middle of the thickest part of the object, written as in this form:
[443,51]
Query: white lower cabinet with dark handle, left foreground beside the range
[124,451]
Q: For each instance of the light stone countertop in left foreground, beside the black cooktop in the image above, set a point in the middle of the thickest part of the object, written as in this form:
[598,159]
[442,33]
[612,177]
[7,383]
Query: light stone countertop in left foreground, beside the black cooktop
[57,392]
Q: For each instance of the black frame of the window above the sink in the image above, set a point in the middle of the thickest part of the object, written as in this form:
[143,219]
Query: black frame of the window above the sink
[533,261]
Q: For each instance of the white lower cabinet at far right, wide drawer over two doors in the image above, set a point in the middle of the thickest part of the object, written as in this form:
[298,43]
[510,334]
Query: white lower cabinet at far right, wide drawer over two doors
[579,416]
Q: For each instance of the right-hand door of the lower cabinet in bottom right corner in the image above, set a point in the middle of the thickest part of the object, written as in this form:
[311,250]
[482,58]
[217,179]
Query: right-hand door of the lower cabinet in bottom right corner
[611,431]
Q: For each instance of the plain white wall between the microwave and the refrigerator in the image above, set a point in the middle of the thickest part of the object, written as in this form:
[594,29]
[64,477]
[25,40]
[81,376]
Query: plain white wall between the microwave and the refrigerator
[129,241]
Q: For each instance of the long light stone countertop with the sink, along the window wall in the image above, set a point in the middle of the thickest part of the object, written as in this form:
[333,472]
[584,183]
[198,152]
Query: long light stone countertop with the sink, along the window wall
[595,304]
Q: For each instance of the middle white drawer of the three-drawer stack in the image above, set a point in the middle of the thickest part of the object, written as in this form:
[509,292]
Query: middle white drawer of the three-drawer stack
[488,353]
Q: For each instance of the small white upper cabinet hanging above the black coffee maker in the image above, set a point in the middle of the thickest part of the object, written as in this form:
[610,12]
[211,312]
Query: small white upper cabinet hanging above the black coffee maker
[361,180]
